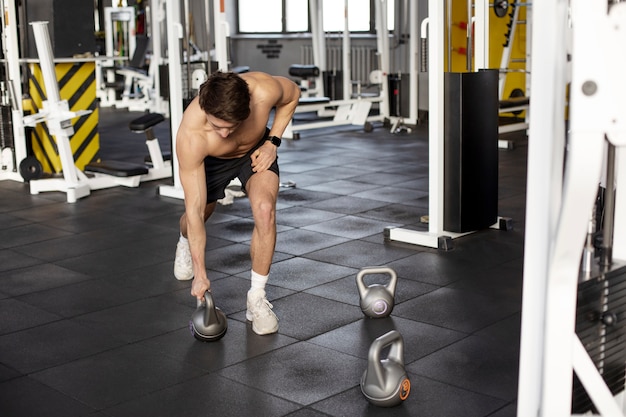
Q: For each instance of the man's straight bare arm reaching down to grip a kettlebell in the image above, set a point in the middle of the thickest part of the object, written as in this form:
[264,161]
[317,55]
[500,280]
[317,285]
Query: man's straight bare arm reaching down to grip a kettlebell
[193,180]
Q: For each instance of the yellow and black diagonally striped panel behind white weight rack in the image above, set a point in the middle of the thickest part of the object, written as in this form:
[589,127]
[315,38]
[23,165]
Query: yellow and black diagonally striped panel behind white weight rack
[77,85]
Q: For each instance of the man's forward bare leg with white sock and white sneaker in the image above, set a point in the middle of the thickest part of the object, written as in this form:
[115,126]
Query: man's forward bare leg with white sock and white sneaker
[262,189]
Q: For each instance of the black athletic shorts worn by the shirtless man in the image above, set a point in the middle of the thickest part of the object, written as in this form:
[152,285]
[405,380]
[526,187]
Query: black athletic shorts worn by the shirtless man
[220,172]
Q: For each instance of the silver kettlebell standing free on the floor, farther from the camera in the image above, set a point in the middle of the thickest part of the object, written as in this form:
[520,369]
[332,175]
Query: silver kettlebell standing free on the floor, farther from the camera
[377,300]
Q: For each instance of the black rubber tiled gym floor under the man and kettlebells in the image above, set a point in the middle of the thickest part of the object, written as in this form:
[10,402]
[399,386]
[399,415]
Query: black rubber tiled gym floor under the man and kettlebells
[93,322]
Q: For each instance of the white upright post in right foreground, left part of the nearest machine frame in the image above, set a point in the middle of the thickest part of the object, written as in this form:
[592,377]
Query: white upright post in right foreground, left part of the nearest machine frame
[544,182]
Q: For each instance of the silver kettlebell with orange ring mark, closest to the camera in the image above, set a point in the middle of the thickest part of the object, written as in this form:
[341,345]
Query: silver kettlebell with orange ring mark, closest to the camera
[385,382]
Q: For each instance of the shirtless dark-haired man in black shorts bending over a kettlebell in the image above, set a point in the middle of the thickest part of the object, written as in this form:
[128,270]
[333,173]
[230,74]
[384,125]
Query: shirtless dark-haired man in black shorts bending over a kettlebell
[223,135]
